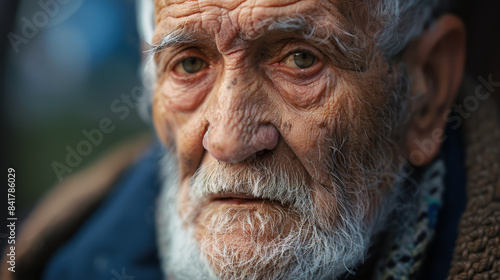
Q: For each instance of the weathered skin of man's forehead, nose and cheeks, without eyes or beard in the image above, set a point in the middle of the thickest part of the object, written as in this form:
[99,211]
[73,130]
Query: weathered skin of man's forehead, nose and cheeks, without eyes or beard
[247,102]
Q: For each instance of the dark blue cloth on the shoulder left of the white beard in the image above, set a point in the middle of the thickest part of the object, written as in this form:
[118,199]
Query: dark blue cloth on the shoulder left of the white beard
[118,242]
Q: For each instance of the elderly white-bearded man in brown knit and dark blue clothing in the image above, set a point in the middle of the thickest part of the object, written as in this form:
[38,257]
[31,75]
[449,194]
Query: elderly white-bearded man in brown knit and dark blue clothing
[304,140]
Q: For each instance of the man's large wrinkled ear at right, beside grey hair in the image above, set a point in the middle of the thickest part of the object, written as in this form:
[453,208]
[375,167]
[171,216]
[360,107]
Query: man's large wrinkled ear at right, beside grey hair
[435,64]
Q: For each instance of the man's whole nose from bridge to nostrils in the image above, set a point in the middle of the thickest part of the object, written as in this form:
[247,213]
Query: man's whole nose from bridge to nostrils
[239,118]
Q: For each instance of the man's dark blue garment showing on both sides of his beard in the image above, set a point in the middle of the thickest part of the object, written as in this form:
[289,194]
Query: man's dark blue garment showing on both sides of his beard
[118,242]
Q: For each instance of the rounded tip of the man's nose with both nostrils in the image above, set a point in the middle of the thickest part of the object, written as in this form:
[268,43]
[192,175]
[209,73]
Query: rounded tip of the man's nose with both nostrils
[233,144]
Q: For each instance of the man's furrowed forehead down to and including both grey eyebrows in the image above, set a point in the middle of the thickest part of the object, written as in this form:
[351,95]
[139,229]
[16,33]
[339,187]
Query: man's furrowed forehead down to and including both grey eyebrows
[225,22]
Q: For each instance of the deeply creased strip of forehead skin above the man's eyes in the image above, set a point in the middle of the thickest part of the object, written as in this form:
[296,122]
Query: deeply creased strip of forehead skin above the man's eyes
[247,18]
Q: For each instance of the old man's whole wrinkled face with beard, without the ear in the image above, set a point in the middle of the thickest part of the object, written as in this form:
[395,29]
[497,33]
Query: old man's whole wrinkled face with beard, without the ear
[283,124]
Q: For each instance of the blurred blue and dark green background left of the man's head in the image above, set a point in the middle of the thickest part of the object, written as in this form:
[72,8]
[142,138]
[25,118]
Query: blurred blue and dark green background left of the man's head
[82,55]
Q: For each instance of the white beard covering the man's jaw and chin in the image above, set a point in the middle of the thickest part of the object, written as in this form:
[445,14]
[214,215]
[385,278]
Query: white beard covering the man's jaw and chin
[311,251]
